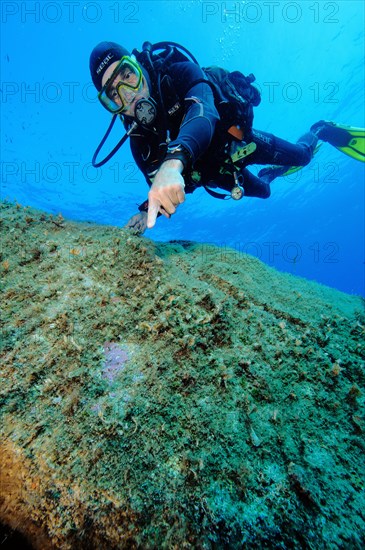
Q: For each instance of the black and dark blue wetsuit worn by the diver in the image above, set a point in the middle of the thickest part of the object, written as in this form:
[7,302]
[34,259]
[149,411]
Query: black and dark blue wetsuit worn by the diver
[188,118]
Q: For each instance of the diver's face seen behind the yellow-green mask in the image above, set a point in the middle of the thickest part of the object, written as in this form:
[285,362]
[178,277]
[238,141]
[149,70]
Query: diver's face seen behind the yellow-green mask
[124,90]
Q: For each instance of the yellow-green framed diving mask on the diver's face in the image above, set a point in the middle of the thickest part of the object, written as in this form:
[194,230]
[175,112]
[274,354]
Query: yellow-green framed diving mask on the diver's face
[122,86]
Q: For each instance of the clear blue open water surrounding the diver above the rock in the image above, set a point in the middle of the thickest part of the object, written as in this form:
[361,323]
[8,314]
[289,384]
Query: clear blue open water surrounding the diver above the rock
[308,61]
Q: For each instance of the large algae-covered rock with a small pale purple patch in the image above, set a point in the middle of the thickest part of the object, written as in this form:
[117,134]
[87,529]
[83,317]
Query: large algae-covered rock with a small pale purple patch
[174,395]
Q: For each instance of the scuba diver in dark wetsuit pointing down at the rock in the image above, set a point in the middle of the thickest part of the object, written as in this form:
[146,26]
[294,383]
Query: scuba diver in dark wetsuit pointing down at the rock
[190,126]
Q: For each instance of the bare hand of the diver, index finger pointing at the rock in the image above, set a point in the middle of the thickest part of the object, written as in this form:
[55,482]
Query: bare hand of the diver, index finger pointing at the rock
[167,191]
